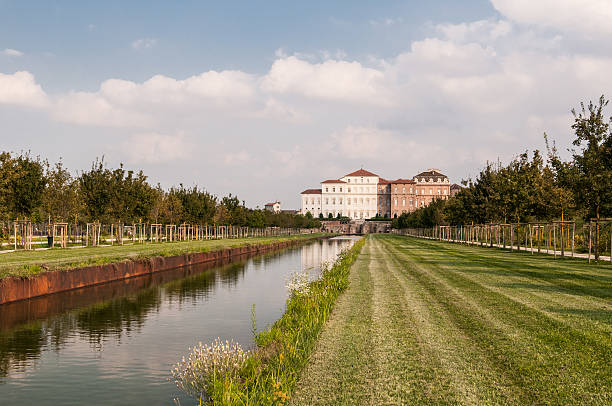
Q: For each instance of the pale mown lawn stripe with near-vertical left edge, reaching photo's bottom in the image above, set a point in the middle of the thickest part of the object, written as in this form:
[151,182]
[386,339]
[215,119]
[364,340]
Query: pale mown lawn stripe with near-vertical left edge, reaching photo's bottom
[408,371]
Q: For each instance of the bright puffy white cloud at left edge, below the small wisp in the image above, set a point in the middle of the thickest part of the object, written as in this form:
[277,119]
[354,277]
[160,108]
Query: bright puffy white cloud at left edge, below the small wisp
[21,89]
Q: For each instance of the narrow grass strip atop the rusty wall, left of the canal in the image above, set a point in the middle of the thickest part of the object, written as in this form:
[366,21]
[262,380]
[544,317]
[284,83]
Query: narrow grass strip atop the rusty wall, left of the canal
[29,263]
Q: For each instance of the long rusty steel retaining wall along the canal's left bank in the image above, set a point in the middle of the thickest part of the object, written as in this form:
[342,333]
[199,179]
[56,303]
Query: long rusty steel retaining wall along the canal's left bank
[13,289]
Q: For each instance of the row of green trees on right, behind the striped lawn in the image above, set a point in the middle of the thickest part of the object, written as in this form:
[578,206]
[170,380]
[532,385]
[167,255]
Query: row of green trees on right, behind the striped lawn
[533,187]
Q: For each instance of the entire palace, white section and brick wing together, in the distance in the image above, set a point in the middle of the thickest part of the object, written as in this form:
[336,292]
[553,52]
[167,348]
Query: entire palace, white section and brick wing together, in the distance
[363,195]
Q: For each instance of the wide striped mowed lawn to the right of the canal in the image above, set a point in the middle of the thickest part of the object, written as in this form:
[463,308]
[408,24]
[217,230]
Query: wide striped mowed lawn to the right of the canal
[425,322]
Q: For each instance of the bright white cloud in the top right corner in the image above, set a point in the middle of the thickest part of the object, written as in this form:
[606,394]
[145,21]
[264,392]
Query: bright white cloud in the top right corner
[591,17]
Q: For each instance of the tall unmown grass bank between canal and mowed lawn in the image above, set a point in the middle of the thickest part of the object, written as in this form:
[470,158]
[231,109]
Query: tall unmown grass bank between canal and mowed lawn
[269,373]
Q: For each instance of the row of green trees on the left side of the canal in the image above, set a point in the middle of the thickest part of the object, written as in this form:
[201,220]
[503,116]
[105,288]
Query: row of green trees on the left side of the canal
[32,188]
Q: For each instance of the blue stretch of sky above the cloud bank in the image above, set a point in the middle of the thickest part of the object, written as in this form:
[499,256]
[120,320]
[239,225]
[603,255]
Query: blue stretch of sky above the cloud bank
[79,44]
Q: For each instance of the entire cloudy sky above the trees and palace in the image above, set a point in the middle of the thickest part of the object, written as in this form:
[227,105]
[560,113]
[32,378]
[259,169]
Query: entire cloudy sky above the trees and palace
[266,99]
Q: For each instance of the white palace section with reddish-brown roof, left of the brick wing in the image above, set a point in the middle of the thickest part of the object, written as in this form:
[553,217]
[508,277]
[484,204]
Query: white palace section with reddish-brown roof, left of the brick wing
[354,195]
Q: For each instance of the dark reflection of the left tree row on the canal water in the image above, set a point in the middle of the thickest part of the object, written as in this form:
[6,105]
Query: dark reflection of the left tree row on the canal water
[110,310]
